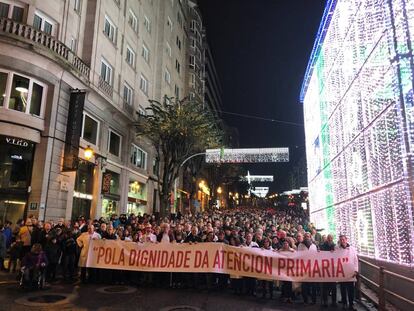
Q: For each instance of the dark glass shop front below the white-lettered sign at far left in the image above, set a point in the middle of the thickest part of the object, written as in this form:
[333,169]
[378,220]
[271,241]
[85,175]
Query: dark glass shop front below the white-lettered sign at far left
[16,163]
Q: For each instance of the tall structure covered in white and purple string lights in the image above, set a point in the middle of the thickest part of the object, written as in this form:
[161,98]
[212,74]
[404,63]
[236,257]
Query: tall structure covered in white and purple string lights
[359,123]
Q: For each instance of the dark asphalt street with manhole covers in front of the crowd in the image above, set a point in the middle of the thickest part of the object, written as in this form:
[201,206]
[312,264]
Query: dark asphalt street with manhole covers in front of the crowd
[63,296]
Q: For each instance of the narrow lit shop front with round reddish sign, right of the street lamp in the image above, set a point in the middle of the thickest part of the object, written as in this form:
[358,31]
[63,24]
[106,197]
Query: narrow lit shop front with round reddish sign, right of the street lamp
[110,193]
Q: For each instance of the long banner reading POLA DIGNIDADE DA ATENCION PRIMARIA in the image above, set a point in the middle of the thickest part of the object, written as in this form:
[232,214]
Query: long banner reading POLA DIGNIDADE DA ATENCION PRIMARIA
[302,266]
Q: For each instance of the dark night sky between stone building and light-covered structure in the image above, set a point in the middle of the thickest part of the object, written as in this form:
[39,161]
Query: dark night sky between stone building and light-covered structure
[261,49]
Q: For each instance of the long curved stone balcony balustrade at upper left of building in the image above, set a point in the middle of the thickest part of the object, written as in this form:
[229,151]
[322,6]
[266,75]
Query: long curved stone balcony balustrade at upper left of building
[29,34]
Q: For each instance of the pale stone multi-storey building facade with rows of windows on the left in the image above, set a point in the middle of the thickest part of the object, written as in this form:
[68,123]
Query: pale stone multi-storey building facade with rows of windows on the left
[118,54]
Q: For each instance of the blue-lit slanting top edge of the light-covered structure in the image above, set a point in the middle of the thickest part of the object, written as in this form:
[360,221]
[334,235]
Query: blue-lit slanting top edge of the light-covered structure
[317,46]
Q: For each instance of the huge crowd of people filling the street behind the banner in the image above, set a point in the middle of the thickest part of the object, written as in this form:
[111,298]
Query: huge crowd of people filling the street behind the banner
[61,246]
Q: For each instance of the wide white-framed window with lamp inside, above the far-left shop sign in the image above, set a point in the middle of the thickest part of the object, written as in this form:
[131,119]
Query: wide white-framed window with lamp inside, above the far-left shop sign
[22,93]
